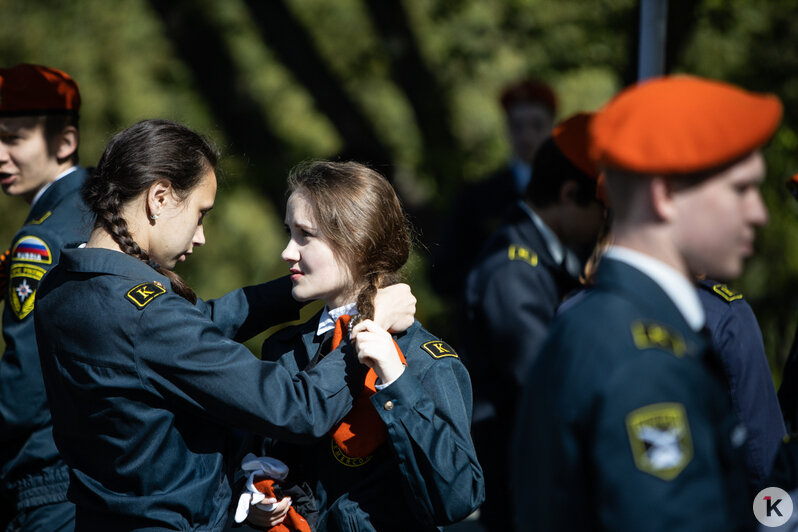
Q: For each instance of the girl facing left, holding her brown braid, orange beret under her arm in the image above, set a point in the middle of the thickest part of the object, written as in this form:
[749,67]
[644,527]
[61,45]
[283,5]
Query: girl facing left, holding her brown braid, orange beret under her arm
[403,458]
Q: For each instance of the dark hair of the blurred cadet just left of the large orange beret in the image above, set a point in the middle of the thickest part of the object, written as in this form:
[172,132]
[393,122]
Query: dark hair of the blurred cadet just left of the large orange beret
[550,171]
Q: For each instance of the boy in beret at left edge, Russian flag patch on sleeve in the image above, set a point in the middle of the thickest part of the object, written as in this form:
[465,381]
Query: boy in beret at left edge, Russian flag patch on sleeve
[38,164]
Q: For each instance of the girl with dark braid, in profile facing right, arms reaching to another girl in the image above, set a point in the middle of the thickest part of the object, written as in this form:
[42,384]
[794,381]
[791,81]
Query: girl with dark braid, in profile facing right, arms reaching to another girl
[148,385]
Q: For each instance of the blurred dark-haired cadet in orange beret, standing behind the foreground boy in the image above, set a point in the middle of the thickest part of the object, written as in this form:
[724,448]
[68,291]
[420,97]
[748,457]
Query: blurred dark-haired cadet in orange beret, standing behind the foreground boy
[528,266]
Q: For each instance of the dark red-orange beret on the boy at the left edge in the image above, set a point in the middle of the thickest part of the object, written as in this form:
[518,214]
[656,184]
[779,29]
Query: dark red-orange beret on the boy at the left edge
[28,89]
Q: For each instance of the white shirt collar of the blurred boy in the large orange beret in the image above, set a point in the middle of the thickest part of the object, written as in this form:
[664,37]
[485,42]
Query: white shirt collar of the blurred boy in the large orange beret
[678,288]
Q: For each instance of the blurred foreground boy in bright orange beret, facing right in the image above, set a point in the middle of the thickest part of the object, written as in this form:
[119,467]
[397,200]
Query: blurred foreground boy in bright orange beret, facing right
[626,422]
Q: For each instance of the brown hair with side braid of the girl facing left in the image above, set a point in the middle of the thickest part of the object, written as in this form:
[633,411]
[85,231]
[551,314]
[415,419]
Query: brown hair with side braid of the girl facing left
[357,211]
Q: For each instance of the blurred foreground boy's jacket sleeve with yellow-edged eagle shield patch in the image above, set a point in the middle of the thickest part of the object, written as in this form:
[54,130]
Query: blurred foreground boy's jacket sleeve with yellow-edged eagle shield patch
[667,449]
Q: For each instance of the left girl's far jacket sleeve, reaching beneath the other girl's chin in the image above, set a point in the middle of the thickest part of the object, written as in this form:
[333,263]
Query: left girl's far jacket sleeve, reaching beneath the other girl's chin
[248,311]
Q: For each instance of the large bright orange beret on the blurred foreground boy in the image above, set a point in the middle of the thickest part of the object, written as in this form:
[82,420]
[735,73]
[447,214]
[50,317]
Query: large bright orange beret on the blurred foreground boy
[680,125]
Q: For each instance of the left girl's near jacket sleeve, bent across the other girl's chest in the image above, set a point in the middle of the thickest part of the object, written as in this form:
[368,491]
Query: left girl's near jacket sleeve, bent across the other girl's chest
[184,358]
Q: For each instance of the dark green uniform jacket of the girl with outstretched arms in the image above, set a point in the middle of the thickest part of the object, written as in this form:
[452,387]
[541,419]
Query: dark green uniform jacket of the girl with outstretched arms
[145,388]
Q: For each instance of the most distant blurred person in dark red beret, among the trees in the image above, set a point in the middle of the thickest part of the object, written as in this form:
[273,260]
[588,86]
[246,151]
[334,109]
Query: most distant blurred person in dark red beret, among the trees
[479,209]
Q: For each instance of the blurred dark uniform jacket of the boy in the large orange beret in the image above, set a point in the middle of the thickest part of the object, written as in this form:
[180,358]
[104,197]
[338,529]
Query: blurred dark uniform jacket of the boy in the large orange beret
[626,423]
